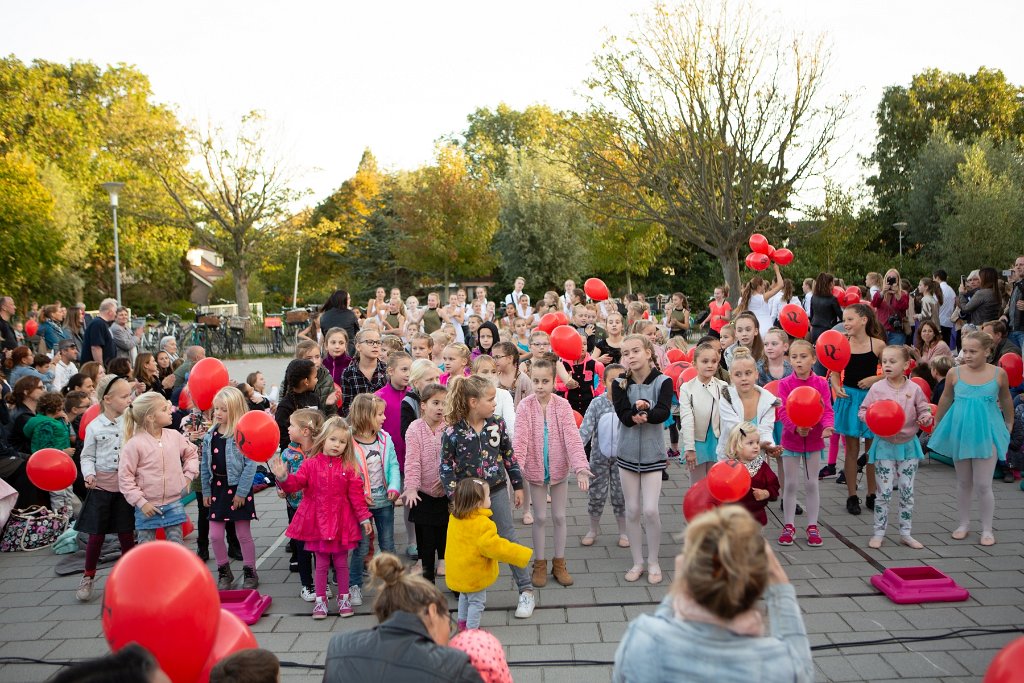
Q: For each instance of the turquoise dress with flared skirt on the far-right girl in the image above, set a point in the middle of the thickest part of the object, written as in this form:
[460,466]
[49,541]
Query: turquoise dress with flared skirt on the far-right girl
[974,425]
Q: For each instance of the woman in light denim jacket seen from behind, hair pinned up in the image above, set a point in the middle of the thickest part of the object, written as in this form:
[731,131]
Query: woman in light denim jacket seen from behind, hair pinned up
[724,570]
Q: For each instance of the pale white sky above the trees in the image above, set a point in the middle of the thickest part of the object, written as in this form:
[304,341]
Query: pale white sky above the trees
[335,78]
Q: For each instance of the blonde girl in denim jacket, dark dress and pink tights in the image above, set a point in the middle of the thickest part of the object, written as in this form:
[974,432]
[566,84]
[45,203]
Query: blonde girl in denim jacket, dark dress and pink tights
[228,481]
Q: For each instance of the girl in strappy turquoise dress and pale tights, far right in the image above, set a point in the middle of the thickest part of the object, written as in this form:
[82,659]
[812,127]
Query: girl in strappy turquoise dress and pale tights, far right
[970,431]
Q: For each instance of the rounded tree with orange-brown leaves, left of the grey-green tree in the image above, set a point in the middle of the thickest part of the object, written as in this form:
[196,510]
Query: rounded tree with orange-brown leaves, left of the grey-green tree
[447,219]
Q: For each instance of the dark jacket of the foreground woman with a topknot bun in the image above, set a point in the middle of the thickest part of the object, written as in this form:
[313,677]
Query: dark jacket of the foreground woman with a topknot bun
[400,651]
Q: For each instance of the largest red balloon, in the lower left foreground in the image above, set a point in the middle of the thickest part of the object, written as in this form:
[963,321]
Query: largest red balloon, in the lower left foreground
[162,596]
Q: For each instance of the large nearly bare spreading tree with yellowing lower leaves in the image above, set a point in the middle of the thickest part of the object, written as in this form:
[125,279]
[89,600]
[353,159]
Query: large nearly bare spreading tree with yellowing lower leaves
[712,124]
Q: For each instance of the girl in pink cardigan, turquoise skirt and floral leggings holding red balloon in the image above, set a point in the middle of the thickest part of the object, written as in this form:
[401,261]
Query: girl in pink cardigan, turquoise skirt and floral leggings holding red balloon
[895,458]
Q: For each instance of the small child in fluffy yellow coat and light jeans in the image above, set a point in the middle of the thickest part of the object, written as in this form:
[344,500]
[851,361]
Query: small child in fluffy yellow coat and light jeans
[476,548]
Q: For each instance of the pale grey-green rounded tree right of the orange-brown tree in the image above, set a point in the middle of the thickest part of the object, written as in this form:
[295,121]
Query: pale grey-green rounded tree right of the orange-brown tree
[543,236]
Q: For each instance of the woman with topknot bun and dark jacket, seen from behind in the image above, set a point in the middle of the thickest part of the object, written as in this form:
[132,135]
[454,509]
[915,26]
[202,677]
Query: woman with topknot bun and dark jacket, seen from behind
[410,644]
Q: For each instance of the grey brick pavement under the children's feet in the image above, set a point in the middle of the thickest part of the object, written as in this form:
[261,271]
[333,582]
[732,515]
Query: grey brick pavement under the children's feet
[39,617]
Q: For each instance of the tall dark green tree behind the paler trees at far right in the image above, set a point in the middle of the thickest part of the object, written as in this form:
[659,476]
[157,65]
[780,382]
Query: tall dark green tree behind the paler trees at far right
[965,106]
